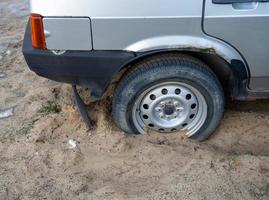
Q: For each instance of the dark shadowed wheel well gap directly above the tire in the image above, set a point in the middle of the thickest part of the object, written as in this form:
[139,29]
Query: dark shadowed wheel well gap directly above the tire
[218,65]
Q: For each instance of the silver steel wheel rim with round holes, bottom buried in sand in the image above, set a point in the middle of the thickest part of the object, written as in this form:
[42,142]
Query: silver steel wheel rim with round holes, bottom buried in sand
[170,107]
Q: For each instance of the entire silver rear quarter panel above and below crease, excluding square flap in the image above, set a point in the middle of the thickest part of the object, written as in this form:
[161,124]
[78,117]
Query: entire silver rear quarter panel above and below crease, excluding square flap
[163,26]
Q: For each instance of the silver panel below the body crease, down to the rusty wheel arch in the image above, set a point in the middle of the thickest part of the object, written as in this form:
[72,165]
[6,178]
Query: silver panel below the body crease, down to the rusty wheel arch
[142,35]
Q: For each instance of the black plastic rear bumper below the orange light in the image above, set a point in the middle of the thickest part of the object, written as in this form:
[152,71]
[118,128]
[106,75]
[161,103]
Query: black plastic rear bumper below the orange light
[94,69]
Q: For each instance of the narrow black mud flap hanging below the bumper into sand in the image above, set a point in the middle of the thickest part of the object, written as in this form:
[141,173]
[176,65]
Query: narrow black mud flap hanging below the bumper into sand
[82,109]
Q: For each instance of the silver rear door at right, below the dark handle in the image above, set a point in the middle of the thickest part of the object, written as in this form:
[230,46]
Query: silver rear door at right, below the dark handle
[246,27]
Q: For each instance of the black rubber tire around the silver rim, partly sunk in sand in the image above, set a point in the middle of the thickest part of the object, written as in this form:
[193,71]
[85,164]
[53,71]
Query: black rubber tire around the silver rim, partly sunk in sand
[166,67]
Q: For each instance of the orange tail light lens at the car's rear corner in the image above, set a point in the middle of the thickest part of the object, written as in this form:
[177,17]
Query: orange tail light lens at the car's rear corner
[37,31]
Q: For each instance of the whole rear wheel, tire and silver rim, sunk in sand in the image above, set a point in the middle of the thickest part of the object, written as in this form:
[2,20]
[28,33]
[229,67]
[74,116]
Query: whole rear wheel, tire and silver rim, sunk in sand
[169,93]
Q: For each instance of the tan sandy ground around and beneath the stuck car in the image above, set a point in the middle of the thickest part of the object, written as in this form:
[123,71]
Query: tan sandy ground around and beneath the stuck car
[36,162]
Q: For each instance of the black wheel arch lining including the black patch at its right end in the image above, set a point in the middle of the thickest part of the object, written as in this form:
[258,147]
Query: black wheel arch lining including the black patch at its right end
[229,74]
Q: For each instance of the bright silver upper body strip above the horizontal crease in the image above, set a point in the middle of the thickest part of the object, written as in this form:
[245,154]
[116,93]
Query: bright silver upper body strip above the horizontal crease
[117,8]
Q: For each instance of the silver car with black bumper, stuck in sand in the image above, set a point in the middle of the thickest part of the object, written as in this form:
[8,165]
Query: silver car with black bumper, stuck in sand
[175,62]
